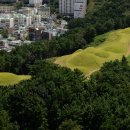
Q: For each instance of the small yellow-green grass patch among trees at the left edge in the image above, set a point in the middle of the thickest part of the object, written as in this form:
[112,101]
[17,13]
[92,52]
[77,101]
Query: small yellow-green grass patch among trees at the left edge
[7,79]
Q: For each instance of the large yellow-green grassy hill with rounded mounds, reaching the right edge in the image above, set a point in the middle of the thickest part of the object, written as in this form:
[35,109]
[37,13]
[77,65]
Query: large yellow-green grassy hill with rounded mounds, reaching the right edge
[114,45]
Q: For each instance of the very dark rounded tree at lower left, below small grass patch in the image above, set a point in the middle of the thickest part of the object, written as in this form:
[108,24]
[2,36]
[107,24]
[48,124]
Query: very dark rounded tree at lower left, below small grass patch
[27,109]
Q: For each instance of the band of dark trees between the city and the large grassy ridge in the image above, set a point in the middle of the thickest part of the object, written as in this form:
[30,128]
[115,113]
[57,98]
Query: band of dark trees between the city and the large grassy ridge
[107,15]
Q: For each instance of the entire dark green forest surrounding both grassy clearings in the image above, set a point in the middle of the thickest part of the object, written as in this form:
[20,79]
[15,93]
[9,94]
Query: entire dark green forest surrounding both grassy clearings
[58,98]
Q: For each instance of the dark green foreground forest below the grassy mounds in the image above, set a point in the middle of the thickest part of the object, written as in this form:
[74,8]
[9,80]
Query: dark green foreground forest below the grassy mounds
[64,99]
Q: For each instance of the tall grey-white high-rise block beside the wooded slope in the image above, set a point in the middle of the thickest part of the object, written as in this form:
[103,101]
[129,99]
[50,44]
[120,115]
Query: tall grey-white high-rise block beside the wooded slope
[75,8]
